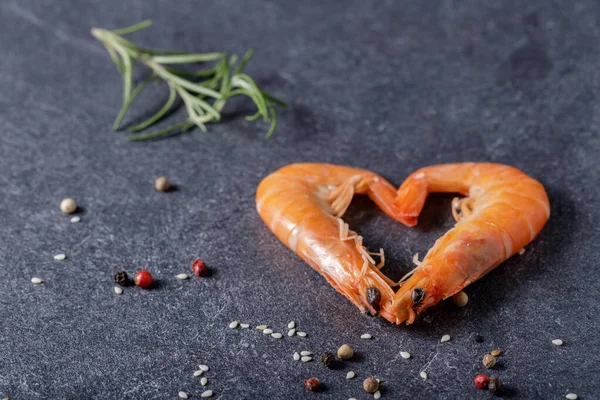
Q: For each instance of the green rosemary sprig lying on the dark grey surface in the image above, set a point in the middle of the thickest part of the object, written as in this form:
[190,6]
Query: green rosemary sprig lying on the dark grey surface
[203,92]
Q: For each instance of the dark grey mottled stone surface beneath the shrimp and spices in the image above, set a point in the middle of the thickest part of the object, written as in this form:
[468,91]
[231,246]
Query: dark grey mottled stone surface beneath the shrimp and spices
[389,86]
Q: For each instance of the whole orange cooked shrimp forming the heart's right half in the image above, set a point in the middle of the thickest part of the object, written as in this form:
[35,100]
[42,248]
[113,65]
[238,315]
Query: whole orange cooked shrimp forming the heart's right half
[504,211]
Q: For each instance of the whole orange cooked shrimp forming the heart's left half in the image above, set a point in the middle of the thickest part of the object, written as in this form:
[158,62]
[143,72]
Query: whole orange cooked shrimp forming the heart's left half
[303,204]
